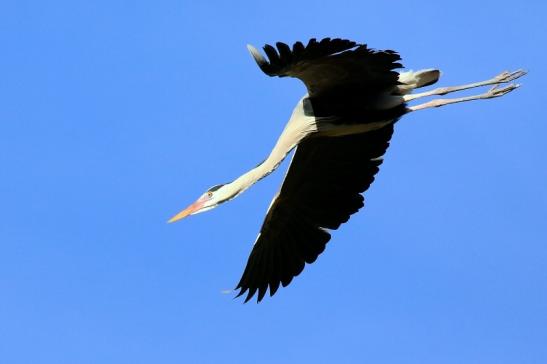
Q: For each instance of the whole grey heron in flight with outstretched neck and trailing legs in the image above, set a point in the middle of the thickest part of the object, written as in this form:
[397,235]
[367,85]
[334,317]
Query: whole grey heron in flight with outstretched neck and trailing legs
[340,128]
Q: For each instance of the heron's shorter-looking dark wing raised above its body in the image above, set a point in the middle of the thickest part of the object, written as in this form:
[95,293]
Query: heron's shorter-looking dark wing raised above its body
[330,64]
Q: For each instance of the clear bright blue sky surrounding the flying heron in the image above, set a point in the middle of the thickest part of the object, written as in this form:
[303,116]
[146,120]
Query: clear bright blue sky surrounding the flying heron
[117,114]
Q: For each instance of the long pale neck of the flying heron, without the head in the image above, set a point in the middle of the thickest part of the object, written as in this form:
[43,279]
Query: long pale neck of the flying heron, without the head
[298,127]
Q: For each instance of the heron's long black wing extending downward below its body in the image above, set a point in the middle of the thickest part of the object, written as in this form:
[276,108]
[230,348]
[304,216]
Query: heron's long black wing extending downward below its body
[322,189]
